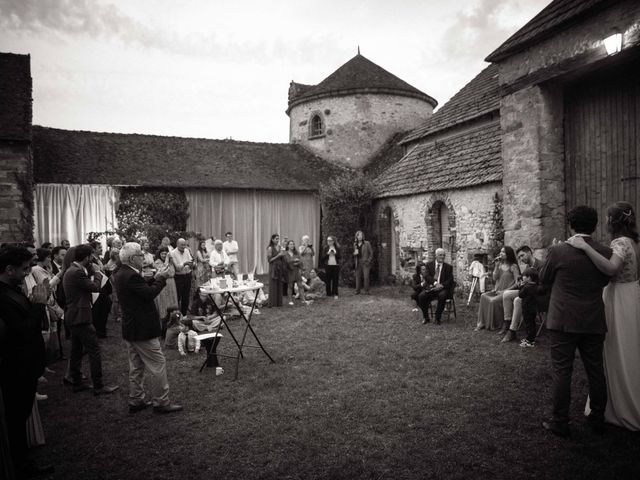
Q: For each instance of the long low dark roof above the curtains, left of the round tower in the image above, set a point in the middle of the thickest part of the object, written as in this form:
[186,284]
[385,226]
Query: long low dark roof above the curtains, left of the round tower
[67,156]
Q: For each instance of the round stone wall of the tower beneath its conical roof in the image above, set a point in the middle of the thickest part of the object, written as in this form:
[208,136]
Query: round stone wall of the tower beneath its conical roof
[356,126]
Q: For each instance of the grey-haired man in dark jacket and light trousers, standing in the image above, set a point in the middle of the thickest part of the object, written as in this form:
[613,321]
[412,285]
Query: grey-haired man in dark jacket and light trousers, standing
[141,330]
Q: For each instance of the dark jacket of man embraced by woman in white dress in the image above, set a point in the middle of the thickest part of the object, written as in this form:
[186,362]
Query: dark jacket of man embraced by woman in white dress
[576,285]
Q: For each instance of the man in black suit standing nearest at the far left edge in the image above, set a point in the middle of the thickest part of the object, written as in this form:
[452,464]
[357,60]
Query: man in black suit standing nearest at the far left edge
[22,351]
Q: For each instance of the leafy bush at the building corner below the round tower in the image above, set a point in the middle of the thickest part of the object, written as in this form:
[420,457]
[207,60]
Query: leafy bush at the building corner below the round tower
[347,206]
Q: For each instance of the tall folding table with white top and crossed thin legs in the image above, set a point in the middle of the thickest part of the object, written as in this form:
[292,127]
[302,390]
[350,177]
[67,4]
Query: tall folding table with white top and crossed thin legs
[211,290]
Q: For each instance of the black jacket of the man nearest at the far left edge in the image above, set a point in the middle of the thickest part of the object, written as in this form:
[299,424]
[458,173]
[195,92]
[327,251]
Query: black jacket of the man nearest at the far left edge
[22,351]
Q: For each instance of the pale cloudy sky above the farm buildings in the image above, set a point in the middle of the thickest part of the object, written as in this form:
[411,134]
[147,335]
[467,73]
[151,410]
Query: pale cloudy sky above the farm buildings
[222,68]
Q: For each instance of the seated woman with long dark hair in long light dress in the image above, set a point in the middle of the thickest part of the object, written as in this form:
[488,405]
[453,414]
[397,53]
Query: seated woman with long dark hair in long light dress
[505,276]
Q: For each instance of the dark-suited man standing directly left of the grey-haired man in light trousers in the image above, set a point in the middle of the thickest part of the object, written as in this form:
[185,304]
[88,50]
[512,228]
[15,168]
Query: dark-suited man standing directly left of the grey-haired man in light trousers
[79,282]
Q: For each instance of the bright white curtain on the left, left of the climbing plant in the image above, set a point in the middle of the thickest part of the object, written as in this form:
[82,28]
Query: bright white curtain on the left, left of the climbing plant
[71,212]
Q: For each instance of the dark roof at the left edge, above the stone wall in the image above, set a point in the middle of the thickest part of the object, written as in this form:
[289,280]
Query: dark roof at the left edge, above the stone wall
[15,97]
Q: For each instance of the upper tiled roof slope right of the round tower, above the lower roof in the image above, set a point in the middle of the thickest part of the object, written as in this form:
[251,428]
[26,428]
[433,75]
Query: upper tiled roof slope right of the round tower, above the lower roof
[478,97]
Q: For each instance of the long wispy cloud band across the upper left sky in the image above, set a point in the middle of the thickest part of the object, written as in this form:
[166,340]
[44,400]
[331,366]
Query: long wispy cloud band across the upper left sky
[70,20]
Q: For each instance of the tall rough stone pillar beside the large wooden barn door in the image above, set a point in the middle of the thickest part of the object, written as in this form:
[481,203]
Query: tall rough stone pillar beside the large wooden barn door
[533,160]
